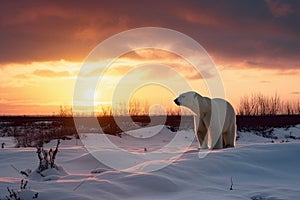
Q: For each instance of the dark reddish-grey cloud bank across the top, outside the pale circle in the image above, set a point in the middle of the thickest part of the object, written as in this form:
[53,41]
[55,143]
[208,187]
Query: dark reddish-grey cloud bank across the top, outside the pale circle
[231,30]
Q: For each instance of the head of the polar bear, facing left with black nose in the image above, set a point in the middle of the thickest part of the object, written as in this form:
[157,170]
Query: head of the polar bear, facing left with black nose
[189,100]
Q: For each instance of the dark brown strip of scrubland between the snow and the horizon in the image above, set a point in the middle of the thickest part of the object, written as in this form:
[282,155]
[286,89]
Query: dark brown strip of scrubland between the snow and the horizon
[46,127]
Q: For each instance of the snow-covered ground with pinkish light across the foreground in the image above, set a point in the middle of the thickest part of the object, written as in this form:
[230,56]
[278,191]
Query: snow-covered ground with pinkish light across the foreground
[258,168]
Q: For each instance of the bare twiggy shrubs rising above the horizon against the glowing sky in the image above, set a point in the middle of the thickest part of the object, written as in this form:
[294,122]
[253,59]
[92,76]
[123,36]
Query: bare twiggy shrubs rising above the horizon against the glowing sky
[256,104]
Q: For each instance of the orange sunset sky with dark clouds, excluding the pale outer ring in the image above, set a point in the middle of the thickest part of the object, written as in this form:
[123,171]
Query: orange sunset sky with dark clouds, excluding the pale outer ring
[254,44]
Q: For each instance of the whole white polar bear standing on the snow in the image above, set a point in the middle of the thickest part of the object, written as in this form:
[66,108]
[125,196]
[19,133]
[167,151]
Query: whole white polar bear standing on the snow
[214,120]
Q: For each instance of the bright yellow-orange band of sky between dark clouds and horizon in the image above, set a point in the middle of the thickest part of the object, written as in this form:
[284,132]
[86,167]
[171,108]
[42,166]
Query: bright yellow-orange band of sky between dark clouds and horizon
[41,87]
